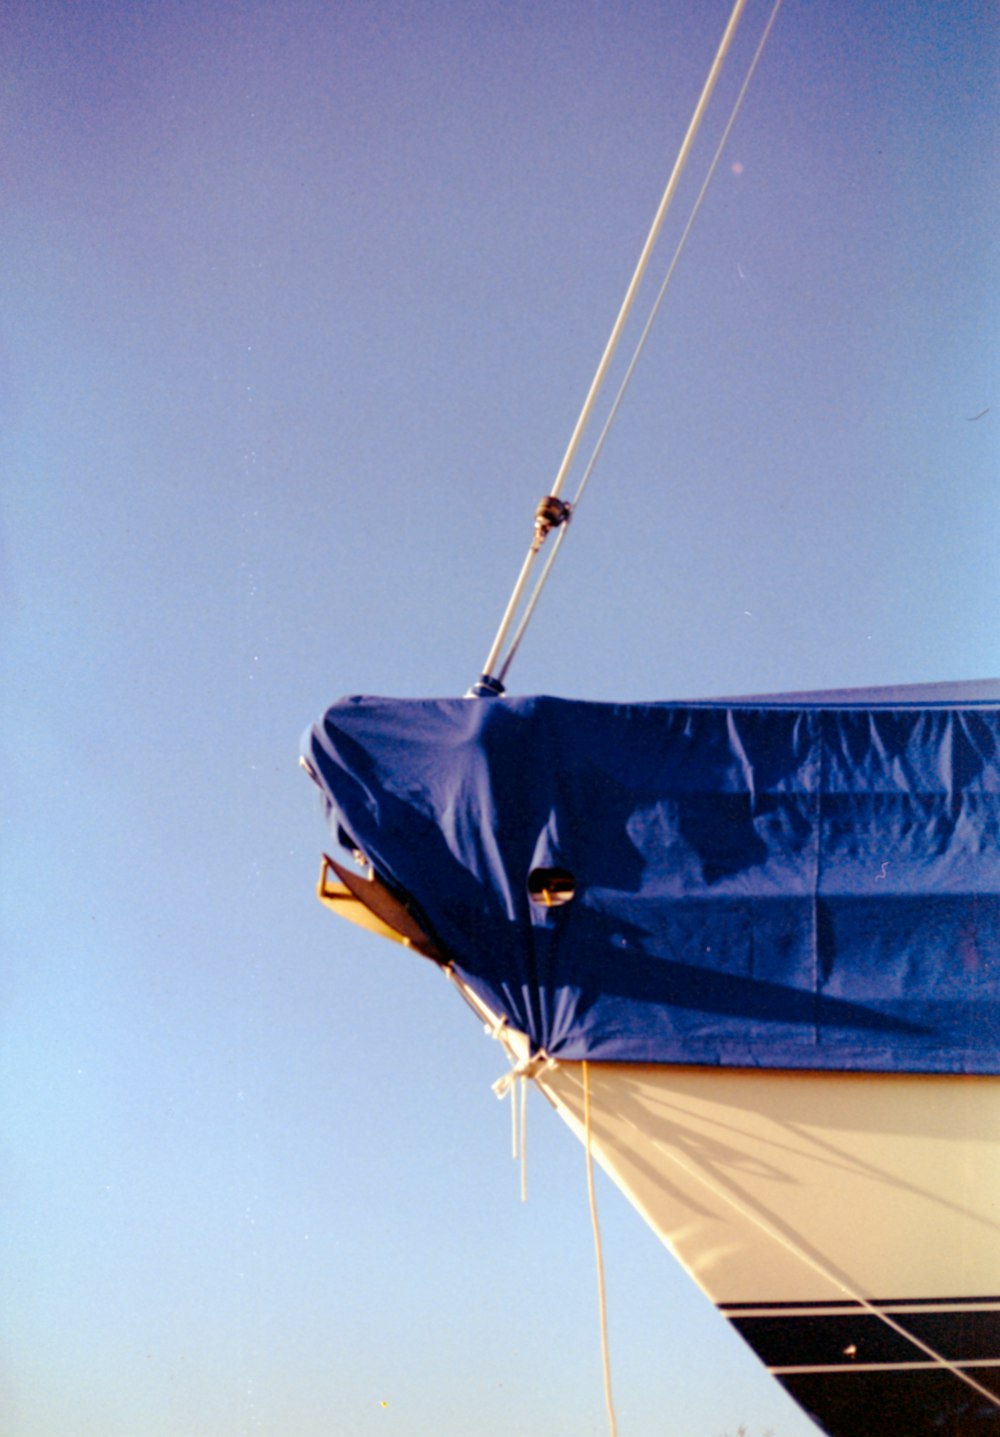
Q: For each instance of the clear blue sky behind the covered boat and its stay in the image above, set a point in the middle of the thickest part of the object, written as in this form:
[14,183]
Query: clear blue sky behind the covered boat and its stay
[301,302]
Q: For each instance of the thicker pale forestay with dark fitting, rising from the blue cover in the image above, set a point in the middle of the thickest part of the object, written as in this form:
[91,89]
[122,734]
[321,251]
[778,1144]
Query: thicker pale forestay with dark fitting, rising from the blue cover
[552,511]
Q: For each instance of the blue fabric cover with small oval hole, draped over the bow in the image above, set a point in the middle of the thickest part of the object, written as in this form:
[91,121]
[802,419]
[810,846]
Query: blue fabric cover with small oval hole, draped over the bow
[802,883]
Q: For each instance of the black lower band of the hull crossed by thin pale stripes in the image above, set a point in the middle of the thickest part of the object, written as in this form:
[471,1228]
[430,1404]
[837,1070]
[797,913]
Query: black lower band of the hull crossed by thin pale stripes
[860,1377]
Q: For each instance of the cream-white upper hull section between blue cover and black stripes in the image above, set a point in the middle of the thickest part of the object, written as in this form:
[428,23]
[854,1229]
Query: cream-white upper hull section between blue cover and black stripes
[804,1186]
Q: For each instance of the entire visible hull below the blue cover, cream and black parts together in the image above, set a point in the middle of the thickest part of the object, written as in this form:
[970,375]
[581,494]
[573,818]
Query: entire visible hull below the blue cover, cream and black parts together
[848,1225]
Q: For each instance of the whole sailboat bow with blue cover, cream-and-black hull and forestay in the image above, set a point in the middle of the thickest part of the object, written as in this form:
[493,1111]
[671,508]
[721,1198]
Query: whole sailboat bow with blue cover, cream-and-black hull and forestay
[749,949]
